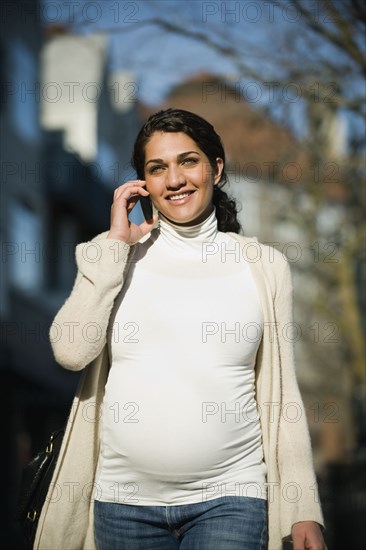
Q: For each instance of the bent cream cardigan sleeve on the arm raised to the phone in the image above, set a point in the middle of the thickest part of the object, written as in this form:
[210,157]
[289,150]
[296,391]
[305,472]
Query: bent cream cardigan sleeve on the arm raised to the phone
[78,332]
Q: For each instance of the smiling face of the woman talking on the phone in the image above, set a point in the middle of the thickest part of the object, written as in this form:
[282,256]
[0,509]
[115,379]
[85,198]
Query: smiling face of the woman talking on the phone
[179,177]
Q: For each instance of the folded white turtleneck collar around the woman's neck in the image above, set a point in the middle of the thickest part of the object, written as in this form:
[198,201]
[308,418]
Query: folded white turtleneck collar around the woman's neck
[187,238]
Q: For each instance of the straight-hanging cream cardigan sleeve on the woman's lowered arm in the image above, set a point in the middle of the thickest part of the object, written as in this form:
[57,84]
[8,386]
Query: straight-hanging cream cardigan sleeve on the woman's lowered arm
[299,491]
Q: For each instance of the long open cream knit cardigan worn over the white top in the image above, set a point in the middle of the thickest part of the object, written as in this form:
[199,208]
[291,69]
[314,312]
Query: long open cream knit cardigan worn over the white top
[78,338]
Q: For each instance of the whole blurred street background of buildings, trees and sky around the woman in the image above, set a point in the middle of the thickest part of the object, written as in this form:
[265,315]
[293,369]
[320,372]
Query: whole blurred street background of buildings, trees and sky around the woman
[283,83]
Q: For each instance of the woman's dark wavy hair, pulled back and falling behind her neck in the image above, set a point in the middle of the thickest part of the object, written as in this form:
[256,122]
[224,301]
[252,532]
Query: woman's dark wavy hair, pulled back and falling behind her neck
[204,135]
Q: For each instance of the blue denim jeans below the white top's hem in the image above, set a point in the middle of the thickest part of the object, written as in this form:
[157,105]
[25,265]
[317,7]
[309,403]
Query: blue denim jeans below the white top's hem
[225,523]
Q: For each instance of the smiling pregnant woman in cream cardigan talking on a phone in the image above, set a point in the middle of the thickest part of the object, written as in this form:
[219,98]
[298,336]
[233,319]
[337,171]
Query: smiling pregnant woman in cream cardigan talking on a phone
[182,434]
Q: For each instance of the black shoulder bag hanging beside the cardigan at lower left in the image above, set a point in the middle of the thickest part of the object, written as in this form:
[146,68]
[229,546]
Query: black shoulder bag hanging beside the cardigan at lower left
[35,481]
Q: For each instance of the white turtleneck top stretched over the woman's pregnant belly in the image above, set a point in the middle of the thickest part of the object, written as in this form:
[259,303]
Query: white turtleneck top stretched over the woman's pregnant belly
[180,423]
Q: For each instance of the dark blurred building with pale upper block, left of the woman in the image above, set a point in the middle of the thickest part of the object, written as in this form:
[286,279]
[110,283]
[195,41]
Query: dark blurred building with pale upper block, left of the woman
[66,135]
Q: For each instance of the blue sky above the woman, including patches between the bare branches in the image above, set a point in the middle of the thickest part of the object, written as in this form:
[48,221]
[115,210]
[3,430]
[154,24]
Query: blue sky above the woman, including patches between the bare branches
[158,60]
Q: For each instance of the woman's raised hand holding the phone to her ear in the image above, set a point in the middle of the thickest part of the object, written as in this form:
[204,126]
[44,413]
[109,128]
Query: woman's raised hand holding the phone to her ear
[125,198]
